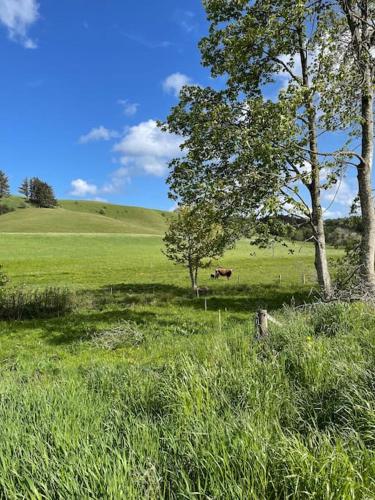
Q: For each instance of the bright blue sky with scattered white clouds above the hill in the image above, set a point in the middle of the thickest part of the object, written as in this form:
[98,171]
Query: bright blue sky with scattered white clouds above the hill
[82,85]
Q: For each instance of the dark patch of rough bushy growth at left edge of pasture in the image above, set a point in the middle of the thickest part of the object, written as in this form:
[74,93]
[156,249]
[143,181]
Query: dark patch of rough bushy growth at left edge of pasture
[22,303]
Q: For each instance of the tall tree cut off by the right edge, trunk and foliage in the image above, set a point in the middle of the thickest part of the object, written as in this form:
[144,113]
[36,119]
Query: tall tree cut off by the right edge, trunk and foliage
[348,100]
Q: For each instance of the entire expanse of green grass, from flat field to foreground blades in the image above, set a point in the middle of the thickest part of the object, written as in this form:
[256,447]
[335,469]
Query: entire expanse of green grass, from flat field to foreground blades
[185,407]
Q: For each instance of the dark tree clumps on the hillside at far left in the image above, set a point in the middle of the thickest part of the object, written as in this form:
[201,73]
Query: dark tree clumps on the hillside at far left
[34,190]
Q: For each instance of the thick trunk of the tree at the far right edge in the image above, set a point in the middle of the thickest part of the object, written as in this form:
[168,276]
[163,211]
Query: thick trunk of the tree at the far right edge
[364,184]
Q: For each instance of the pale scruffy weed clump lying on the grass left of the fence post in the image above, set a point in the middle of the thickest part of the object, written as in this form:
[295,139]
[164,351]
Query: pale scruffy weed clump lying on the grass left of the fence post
[122,334]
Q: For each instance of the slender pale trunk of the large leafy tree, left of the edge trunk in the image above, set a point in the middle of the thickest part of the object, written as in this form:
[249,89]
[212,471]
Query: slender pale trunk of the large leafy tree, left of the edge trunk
[317,221]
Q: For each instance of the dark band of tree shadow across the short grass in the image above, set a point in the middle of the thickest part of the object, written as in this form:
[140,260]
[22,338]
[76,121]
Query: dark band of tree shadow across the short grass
[119,301]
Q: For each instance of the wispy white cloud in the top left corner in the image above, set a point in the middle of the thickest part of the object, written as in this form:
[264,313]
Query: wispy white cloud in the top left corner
[17,16]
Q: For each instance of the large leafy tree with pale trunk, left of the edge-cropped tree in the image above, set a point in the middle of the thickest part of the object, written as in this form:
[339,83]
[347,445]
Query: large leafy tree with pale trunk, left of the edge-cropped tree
[260,151]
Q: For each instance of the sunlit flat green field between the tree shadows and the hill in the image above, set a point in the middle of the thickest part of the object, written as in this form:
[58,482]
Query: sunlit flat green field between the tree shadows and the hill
[83,260]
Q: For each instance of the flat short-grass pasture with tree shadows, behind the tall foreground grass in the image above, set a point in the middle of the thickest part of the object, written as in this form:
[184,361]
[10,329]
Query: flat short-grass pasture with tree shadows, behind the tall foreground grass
[127,277]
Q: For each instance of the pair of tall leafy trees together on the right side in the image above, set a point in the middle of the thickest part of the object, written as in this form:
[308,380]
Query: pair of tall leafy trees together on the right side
[251,155]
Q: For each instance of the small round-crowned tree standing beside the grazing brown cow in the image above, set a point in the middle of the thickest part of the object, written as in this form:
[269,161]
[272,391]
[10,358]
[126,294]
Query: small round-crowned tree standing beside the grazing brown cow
[194,239]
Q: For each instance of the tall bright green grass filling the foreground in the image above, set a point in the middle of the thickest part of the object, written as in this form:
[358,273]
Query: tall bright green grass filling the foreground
[291,417]
